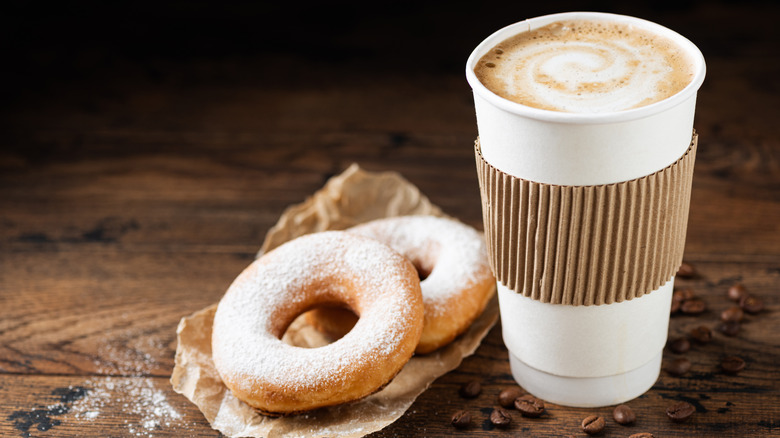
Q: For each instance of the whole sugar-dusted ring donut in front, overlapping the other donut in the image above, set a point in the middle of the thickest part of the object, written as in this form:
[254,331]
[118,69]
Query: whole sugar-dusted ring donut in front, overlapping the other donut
[326,268]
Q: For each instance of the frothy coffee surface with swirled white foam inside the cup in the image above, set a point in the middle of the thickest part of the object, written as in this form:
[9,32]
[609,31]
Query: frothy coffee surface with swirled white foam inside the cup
[585,66]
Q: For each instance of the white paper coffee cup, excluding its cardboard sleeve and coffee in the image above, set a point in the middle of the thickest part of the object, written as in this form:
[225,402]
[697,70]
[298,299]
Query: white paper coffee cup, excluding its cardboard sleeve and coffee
[585,355]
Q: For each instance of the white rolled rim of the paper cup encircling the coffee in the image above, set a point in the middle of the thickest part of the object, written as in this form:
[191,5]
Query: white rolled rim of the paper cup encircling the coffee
[699,69]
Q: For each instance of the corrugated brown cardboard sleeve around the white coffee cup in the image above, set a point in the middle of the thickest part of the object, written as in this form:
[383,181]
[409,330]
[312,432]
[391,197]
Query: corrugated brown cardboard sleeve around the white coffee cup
[586,245]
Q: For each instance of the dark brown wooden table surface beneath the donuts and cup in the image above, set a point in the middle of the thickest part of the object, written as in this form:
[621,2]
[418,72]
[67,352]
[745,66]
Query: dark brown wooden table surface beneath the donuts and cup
[145,150]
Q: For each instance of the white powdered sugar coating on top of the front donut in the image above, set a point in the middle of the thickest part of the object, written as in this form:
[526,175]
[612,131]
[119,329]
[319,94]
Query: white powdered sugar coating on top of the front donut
[247,321]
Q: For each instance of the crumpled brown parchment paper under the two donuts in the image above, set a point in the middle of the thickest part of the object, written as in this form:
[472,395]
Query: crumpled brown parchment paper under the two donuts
[353,197]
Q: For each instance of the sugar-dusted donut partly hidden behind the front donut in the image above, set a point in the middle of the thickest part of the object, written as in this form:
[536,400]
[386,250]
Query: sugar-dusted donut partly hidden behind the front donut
[451,258]
